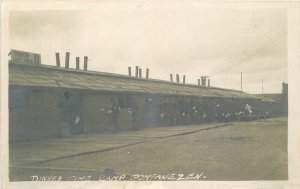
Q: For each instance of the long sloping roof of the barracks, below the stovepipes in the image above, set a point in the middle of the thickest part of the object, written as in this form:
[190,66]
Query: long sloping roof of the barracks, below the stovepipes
[51,76]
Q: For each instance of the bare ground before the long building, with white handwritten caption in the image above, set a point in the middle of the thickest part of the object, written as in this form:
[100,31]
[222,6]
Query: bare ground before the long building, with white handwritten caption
[240,151]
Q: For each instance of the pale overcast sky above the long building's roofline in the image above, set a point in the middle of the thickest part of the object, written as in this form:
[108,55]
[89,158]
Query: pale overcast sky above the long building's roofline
[191,41]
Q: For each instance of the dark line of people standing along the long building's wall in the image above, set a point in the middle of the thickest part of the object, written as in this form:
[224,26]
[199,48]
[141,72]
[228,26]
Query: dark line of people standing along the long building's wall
[178,114]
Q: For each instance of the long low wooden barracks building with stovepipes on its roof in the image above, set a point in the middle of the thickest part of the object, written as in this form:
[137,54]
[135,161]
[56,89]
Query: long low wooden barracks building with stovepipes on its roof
[55,101]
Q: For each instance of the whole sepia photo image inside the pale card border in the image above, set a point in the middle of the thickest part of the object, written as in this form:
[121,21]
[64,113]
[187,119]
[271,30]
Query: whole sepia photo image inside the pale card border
[140,91]
